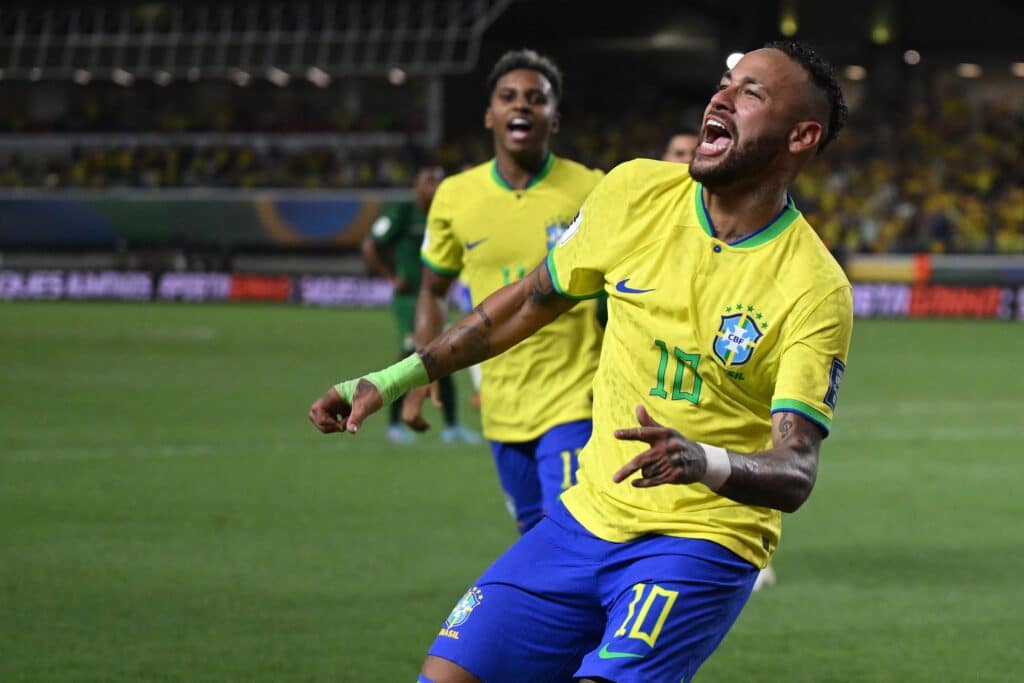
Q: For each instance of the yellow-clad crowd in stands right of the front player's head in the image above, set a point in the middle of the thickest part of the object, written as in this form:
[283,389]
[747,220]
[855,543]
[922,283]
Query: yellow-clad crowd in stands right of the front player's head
[949,180]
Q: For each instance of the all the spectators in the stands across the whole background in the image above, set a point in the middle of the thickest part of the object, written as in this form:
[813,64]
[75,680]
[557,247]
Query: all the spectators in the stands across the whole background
[948,178]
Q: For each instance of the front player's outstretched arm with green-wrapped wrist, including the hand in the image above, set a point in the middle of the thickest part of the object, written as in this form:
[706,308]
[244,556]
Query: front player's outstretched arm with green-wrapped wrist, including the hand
[503,320]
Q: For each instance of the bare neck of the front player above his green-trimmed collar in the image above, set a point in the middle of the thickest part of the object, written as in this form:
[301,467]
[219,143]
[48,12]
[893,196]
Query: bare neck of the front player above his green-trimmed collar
[737,212]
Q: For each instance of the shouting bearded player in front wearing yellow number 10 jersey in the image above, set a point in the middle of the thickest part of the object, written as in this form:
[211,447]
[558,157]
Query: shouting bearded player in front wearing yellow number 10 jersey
[729,330]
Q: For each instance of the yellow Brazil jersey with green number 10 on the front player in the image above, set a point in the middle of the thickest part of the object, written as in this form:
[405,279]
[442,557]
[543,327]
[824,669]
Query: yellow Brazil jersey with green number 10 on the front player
[711,337]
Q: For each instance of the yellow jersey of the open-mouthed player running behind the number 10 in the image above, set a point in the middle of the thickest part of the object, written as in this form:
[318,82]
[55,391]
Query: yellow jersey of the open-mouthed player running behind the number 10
[494,235]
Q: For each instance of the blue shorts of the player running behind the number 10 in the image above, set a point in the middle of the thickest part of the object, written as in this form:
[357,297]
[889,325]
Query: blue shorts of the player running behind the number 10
[535,474]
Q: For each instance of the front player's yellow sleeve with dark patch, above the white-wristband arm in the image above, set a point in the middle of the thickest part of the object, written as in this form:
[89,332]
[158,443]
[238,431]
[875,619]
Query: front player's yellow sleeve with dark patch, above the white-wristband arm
[815,360]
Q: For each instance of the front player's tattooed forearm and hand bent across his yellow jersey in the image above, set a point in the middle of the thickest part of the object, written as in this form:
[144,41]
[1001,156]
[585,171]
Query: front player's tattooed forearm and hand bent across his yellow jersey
[781,478]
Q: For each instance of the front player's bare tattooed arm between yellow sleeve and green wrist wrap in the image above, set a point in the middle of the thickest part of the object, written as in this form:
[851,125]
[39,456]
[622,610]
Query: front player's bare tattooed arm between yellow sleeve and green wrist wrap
[502,321]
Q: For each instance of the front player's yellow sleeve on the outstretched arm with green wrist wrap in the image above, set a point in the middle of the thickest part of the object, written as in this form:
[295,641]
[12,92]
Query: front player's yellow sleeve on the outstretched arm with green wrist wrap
[588,247]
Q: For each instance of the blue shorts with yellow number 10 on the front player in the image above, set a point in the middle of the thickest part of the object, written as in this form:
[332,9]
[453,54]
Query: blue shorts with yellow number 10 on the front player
[562,605]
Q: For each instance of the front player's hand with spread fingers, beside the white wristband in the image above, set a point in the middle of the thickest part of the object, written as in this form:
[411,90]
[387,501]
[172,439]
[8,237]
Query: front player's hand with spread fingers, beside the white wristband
[671,459]
